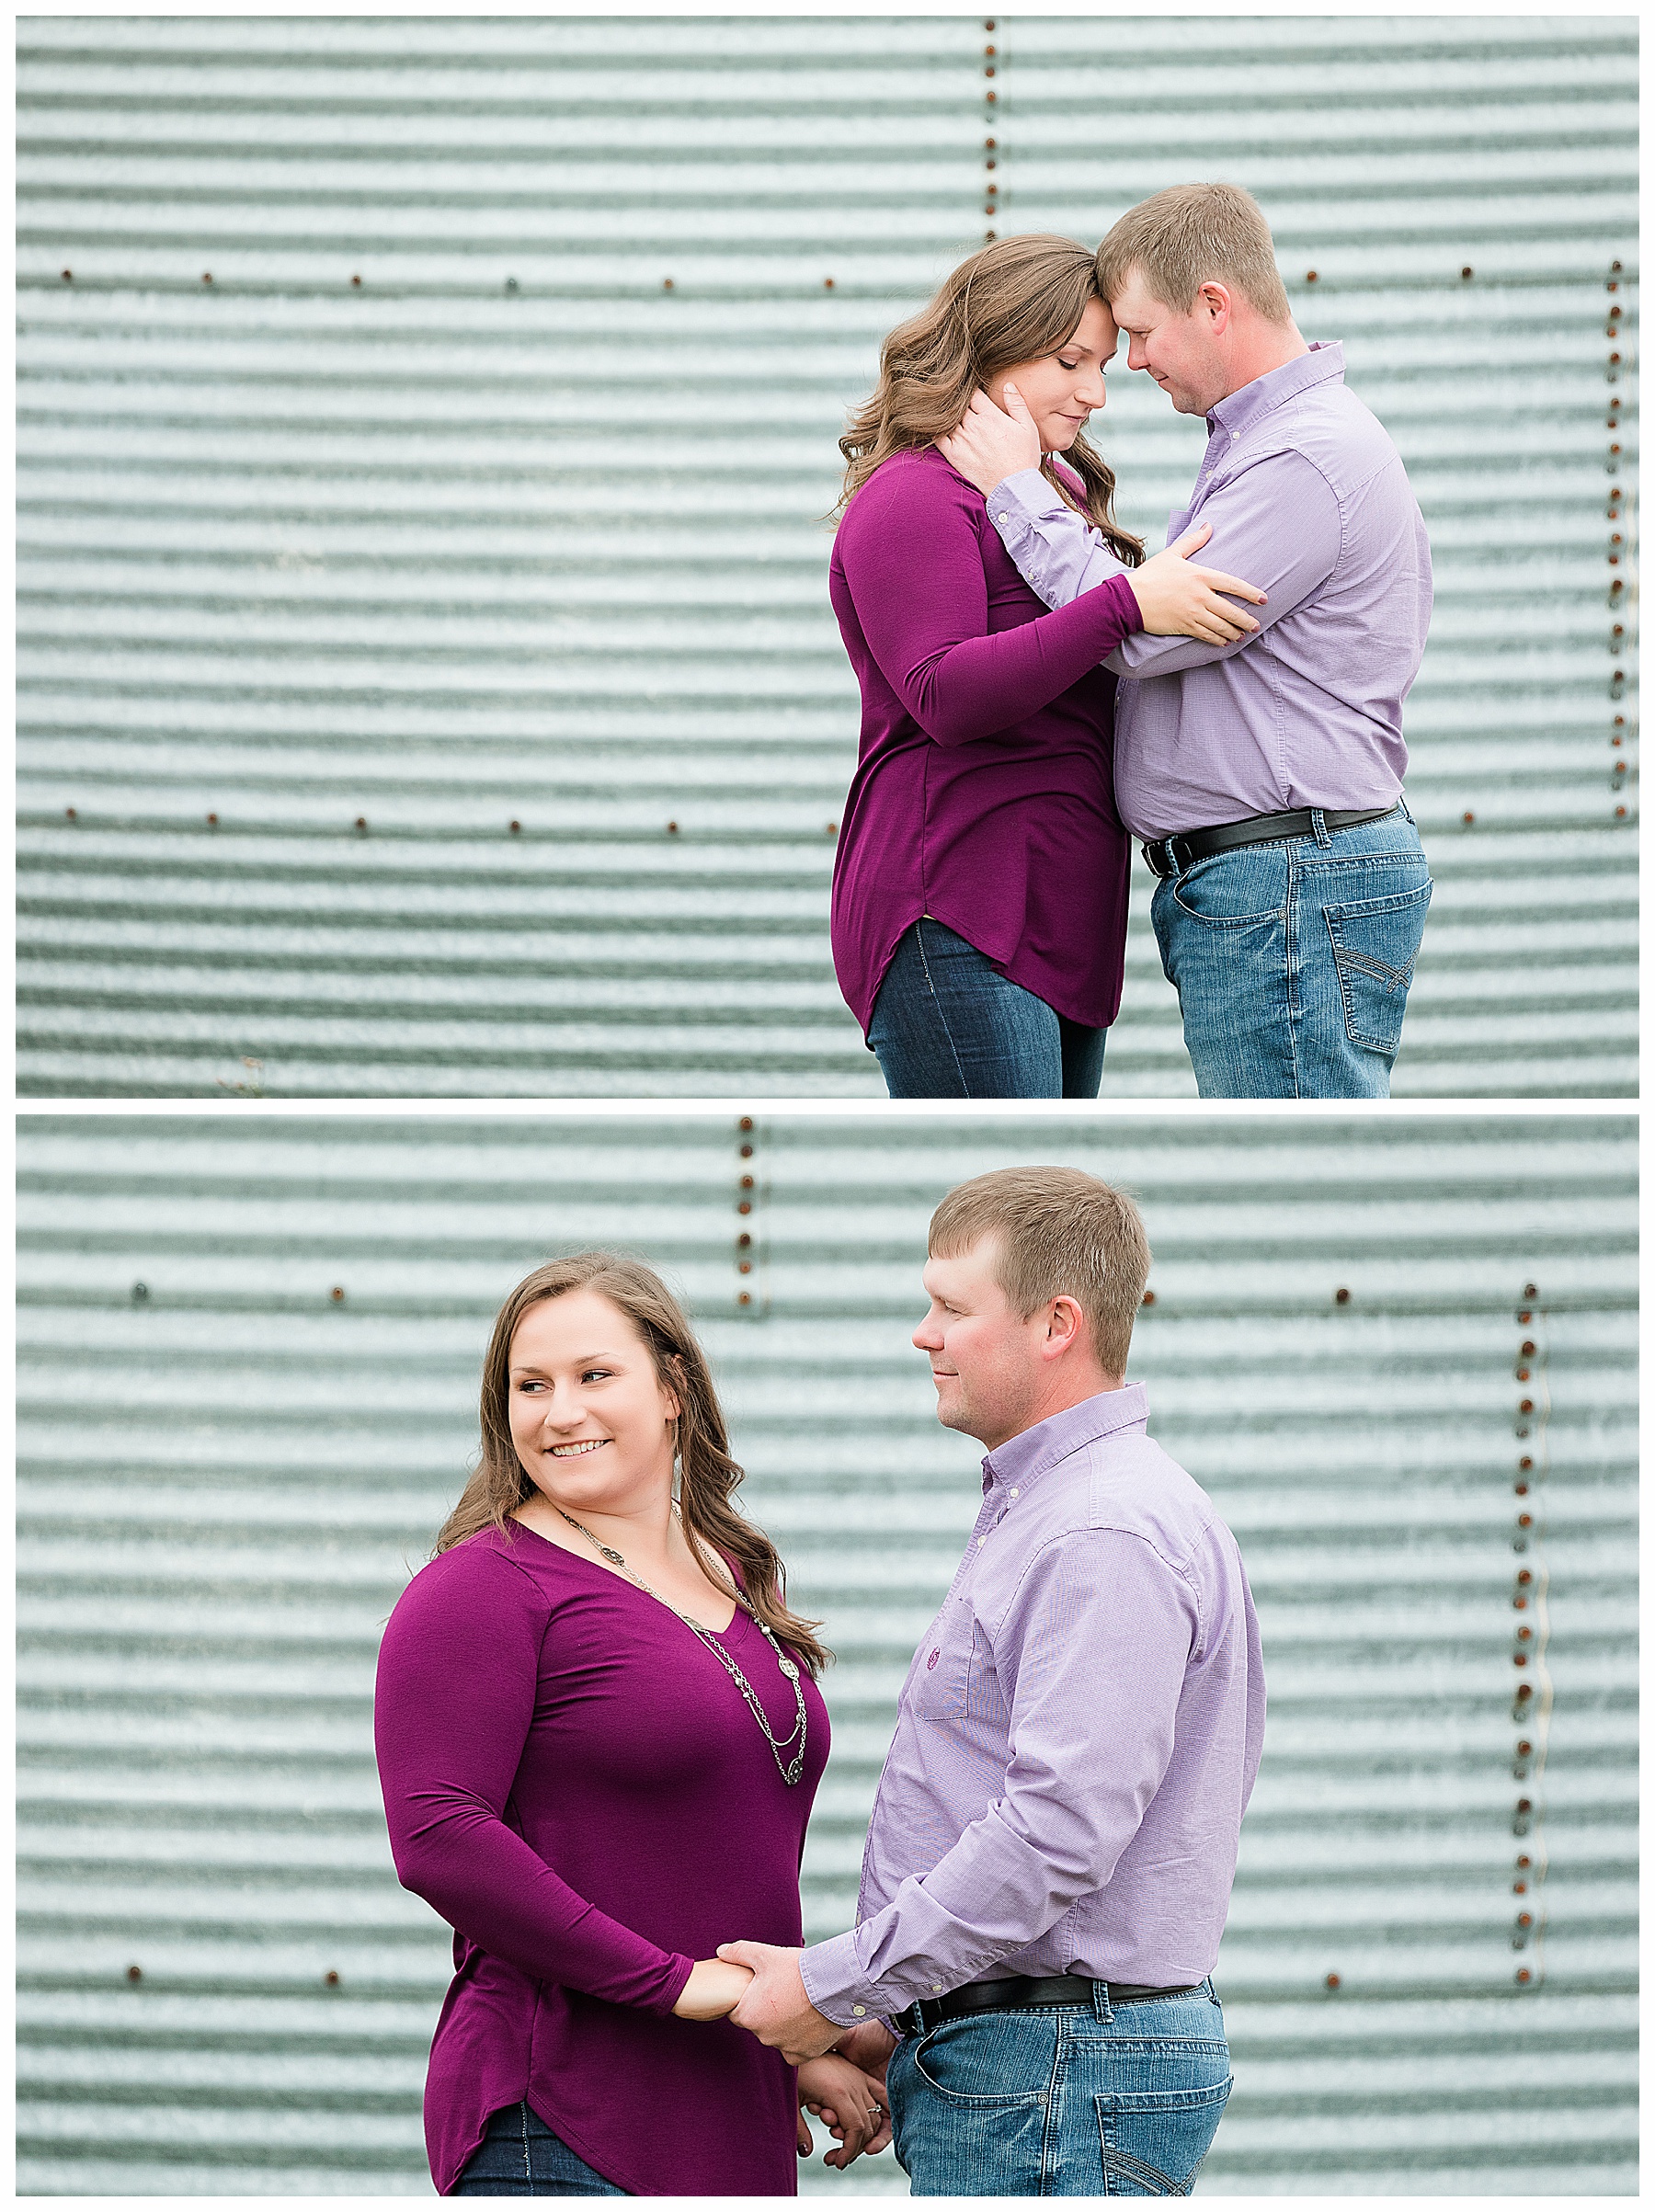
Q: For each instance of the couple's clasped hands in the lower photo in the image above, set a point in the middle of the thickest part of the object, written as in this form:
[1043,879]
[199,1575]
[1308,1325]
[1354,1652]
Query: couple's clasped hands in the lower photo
[842,2072]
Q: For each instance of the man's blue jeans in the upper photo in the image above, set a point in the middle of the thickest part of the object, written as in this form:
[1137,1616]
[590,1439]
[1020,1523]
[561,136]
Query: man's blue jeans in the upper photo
[1293,961]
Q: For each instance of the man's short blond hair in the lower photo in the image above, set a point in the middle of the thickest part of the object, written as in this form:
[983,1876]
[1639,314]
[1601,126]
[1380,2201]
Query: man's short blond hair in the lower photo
[1061,1235]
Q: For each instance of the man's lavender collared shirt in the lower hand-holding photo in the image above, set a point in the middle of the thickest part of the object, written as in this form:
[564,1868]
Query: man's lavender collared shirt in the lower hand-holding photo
[1076,1740]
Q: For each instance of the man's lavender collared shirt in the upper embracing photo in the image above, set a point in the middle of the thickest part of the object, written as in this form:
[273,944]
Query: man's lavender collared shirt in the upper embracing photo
[1309,501]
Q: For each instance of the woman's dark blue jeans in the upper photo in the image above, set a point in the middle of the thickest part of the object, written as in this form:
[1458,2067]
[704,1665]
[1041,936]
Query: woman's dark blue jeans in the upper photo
[950,1027]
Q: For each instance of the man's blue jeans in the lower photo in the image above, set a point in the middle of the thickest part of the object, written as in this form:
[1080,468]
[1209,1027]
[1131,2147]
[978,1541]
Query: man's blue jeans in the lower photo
[1063,2100]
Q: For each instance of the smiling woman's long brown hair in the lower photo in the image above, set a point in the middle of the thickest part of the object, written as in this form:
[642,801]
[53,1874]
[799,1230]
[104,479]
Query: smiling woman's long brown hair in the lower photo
[707,1474]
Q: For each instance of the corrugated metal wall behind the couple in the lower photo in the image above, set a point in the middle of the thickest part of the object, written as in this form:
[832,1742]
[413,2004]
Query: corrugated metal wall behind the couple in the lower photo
[1397,1350]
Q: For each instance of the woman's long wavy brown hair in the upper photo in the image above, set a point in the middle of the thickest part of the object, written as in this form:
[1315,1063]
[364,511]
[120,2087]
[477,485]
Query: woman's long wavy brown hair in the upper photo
[1012,302]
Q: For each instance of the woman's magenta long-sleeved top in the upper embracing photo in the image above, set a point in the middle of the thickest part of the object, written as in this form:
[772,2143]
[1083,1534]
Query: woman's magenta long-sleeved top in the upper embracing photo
[983,793]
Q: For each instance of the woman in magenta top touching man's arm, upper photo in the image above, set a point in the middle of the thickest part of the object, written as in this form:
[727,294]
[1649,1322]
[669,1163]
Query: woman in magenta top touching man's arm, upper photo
[979,908]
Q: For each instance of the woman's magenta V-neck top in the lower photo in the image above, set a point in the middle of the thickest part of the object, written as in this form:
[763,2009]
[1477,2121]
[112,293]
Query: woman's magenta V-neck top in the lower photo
[581,1791]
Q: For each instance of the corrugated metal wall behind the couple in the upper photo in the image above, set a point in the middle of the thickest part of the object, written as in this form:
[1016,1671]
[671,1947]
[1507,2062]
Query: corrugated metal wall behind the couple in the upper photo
[428,680]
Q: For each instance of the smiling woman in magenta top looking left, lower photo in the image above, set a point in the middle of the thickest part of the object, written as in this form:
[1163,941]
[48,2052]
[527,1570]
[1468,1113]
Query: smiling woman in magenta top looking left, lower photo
[601,1738]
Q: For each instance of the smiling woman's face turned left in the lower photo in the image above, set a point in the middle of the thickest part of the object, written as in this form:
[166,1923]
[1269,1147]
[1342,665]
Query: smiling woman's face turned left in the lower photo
[590,1417]
